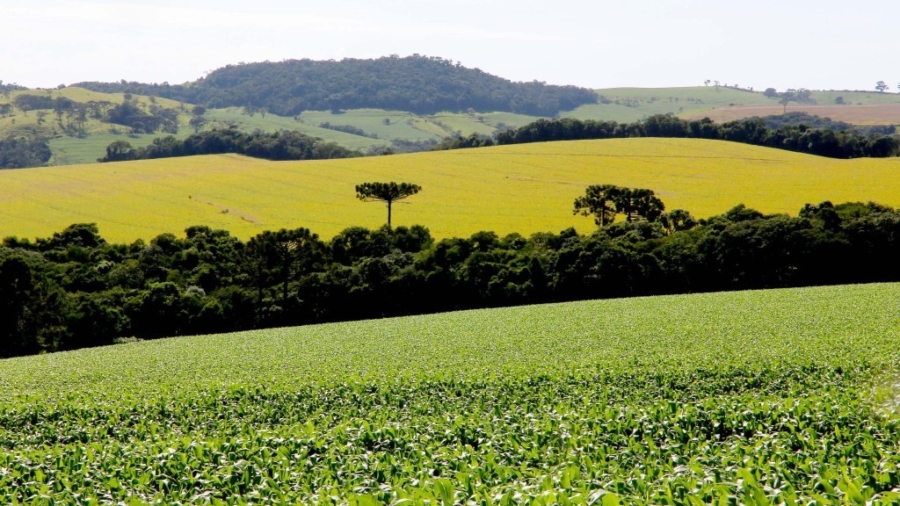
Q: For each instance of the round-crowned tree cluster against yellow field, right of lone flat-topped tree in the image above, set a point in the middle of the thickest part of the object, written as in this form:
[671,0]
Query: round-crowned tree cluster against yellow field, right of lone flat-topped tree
[605,202]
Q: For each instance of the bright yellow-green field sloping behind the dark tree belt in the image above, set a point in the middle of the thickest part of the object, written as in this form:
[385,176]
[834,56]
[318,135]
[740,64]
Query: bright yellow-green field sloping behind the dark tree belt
[524,188]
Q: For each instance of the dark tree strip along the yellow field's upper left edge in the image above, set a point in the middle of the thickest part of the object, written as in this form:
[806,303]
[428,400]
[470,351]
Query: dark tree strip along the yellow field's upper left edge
[282,145]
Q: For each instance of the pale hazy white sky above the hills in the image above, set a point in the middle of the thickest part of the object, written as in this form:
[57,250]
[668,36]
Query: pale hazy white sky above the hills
[820,44]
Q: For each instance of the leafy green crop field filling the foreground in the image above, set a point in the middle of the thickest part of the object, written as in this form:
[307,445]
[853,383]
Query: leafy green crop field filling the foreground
[768,397]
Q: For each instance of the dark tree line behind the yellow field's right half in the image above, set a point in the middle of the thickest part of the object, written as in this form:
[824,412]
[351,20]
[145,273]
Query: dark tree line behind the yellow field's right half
[800,138]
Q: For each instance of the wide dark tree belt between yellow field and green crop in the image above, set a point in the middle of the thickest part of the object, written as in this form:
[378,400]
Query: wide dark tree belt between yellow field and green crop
[75,290]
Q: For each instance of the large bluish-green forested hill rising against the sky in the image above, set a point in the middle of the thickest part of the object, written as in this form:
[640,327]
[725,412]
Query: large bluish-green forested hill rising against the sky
[419,84]
